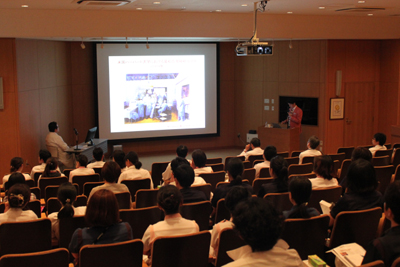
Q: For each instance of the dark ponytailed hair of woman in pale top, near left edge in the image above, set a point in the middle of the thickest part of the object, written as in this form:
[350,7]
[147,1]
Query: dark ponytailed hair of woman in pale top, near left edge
[66,194]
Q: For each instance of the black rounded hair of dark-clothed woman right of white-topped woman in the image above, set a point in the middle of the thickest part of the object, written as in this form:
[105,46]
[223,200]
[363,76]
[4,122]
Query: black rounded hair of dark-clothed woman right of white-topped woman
[361,177]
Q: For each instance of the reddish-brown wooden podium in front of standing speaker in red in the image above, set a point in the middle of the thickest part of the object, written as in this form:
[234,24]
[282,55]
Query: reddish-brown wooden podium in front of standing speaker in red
[282,139]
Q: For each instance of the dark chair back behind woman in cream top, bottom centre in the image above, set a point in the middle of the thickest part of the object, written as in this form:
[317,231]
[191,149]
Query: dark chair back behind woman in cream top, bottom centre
[178,251]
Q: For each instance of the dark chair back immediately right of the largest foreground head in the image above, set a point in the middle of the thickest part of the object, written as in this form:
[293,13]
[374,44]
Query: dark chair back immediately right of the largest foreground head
[314,230]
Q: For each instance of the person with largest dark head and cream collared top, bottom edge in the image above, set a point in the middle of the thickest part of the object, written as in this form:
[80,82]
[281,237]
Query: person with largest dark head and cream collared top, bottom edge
[259,225]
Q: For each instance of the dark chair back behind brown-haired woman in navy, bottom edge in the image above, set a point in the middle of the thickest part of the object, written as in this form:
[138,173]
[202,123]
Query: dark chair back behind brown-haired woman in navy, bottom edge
[128,253]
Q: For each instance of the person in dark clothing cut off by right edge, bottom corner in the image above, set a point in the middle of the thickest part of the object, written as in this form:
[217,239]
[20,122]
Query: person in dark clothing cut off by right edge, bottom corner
[387,247]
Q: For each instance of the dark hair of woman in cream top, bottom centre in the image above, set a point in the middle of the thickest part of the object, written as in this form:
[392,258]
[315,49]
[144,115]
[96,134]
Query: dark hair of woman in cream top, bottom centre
[169,198]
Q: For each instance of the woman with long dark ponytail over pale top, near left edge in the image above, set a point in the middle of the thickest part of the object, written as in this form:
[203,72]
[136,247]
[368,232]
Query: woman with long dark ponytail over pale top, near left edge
[66,194]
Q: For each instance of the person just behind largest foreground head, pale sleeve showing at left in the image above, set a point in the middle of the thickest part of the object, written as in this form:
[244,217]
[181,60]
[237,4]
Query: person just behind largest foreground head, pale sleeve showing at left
[234,196]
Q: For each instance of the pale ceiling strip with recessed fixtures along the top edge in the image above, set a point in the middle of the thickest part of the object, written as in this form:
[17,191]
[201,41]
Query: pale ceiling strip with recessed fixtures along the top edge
[299,7]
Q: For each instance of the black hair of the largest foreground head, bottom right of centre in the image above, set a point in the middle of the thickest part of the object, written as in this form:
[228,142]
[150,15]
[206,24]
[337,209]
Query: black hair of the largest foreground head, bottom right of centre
[258,223]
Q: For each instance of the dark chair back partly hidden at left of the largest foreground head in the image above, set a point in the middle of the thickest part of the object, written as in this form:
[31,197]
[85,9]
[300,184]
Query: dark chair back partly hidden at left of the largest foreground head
[228,240]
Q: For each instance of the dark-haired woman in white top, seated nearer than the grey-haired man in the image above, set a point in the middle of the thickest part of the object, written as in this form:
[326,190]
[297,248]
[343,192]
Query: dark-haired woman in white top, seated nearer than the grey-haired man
[323,168]
